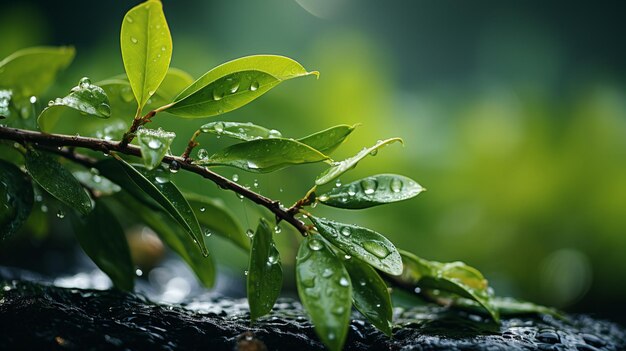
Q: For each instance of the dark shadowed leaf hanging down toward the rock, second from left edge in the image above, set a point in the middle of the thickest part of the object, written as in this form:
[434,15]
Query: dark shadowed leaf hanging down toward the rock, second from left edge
[103,240]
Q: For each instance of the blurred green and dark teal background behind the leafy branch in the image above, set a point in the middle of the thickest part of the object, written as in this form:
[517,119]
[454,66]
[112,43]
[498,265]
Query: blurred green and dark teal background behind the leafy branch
[513,115]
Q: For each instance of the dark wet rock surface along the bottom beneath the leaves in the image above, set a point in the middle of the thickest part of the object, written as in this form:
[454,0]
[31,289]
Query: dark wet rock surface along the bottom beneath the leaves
[40,316]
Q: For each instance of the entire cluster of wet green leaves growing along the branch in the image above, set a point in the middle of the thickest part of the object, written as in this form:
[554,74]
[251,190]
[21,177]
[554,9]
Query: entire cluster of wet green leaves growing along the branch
[338,265]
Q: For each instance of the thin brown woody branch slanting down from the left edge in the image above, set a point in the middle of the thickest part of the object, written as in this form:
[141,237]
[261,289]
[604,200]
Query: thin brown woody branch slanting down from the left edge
[51,142]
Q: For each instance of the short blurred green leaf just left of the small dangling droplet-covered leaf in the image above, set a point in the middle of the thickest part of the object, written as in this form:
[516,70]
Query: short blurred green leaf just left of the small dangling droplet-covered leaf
[215,216]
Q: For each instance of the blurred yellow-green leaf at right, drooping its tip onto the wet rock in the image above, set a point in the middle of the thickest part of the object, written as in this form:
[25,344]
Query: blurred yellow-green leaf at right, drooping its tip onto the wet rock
[456,278]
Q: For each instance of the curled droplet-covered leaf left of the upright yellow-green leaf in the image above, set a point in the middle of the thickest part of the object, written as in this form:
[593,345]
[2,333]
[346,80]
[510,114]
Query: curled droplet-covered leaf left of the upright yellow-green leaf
[83,99]
